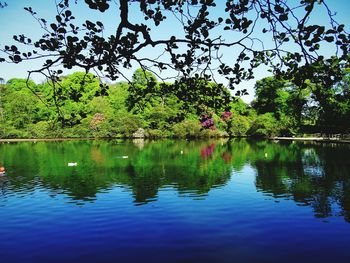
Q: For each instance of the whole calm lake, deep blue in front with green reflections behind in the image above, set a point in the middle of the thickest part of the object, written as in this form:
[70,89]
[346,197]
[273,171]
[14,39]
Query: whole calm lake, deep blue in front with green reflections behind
[175,201]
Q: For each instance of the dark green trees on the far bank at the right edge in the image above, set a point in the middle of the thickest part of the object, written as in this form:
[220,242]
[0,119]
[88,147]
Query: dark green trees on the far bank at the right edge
[313,108]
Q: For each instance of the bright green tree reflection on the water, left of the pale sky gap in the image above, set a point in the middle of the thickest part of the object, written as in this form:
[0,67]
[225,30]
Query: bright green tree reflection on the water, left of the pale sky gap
[102,164]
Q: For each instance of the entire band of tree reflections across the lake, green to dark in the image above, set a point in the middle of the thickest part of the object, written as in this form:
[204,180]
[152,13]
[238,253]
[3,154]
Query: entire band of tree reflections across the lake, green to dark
[316,175]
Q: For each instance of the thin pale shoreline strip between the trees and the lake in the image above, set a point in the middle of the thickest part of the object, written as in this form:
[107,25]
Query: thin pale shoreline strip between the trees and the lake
[312,139]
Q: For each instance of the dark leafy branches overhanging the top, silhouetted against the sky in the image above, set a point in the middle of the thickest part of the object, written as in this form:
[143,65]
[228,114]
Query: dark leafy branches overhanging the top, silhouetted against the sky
[208,28]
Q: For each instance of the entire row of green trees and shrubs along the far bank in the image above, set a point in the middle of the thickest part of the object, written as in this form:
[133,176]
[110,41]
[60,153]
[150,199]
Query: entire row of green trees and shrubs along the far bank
[78,106]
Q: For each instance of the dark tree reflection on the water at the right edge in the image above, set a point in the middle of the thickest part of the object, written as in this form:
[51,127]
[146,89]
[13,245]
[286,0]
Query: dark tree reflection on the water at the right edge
[317,175]
